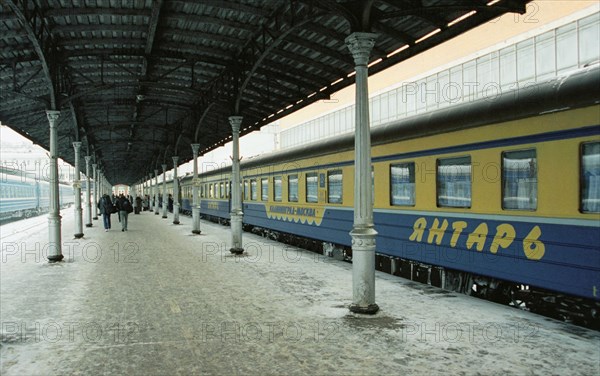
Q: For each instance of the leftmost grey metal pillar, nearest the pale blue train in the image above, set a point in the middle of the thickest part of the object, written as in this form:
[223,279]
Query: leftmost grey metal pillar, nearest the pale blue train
[54,218]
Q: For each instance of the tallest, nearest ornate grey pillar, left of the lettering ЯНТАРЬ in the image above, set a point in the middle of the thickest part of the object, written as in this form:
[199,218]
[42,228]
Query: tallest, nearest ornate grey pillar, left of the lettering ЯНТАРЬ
[363,232]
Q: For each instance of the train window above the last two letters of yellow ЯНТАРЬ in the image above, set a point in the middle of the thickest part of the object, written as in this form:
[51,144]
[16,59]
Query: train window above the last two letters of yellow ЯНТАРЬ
[519,180]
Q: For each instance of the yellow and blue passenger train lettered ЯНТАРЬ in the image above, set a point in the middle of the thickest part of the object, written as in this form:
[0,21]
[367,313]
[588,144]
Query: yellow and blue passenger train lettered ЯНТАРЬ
[497,198]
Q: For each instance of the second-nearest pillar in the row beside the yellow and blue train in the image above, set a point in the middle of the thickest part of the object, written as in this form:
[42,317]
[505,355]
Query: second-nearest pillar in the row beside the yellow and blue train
[236,213]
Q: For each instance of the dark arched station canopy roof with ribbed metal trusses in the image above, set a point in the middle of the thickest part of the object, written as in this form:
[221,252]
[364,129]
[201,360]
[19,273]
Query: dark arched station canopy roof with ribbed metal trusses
[138,81]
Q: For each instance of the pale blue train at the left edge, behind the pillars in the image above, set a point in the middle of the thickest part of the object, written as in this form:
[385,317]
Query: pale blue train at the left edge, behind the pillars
[23,195]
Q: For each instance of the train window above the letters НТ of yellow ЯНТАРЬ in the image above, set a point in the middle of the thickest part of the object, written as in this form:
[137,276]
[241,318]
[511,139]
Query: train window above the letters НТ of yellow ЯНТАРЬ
[454,182]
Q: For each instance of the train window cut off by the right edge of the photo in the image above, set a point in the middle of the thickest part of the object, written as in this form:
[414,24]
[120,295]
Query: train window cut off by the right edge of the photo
[590,177]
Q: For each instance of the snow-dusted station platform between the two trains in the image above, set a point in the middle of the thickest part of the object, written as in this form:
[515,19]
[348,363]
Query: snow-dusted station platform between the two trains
[158,300]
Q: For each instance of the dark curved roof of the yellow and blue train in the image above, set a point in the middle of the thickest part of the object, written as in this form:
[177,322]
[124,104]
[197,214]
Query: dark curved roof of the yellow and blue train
[576,89]
